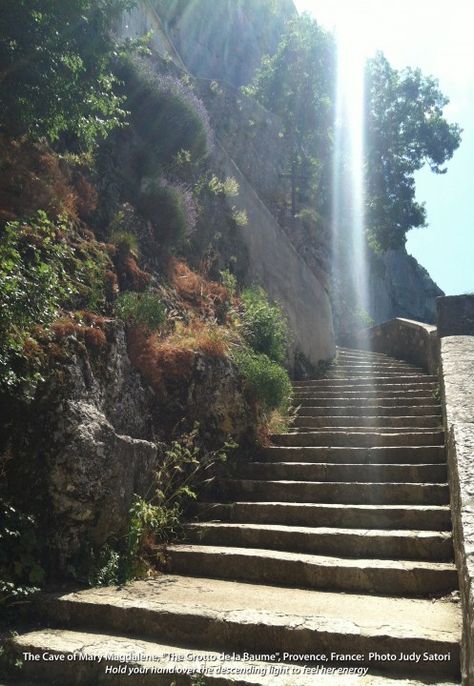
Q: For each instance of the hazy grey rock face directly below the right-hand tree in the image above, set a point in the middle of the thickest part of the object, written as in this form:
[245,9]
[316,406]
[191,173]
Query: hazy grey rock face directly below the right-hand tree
[402,288]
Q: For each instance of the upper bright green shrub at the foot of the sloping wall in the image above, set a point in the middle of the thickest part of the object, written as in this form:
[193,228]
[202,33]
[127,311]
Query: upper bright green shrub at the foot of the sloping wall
[264,326]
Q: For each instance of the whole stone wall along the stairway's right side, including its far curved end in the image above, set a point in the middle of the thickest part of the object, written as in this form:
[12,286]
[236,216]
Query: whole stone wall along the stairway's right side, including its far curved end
[449,351]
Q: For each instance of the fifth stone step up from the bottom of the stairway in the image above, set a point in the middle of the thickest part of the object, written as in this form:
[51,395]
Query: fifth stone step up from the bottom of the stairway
[422,517]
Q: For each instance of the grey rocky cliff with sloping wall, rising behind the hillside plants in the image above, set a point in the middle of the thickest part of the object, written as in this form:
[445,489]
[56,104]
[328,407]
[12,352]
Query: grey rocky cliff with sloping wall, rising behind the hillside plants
[249,148]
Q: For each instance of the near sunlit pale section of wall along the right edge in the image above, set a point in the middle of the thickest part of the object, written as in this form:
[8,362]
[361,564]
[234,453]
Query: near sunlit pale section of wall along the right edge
[457,376]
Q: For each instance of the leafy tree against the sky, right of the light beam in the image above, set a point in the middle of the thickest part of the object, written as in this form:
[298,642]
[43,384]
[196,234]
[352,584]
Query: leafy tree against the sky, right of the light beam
[405,130]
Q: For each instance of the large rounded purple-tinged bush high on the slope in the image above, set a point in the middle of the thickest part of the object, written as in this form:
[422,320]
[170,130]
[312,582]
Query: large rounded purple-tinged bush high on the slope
[166,114]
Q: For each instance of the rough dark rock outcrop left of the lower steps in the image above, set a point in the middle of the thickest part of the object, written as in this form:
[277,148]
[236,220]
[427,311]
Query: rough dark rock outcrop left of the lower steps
[94,440]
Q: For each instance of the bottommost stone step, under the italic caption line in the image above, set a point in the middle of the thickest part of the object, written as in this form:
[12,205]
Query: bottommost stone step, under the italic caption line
[214,668]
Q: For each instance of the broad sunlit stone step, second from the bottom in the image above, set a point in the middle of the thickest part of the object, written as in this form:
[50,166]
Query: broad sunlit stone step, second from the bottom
[218,615]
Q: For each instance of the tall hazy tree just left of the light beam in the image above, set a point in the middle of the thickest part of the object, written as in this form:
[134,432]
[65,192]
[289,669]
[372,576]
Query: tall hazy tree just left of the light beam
[297,83]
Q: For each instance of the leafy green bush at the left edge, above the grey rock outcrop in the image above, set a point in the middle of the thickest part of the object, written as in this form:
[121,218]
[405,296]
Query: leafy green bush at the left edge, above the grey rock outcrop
[43,267]
